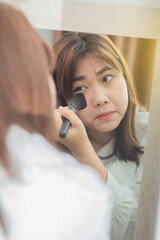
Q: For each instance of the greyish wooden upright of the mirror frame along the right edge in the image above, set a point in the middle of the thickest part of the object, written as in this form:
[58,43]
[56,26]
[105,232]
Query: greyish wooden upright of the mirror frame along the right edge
[146,218]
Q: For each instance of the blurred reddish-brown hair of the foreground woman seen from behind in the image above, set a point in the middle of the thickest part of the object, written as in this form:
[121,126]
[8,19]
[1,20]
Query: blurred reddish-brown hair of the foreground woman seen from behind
[25,65]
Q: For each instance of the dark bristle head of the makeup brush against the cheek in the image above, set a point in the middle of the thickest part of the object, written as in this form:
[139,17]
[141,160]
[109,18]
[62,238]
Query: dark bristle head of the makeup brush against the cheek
[77,102]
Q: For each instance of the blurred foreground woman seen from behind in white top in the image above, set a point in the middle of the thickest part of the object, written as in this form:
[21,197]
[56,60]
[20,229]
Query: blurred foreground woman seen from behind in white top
[43,193]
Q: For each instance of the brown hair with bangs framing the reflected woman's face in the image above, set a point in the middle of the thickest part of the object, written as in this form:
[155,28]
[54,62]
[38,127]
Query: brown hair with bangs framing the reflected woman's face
[73,46]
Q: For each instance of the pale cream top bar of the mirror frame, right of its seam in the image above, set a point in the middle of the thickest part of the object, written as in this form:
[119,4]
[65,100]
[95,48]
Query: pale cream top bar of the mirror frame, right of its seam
[119,20]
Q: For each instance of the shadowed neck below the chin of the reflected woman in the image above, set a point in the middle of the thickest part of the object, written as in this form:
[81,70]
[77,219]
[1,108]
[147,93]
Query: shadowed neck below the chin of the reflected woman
[98,139]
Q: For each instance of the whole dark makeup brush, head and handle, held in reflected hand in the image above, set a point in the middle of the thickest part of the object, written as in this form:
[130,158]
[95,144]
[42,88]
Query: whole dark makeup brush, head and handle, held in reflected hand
[77,102]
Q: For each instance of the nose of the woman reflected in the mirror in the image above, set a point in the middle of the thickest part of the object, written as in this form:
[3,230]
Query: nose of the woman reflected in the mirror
[100,96]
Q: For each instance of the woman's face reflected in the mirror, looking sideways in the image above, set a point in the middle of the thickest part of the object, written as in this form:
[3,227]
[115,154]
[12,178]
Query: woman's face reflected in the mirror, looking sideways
[106,94]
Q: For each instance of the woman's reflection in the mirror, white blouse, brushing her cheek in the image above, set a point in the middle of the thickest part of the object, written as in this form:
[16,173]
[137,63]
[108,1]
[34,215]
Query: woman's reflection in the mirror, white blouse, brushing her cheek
[109,134]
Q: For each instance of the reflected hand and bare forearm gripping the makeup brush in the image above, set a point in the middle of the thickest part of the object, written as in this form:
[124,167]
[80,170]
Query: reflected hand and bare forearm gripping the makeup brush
[77,140]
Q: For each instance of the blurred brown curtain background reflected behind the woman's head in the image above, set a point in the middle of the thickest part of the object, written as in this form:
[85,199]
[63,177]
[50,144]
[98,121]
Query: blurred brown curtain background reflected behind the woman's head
[139,54]
